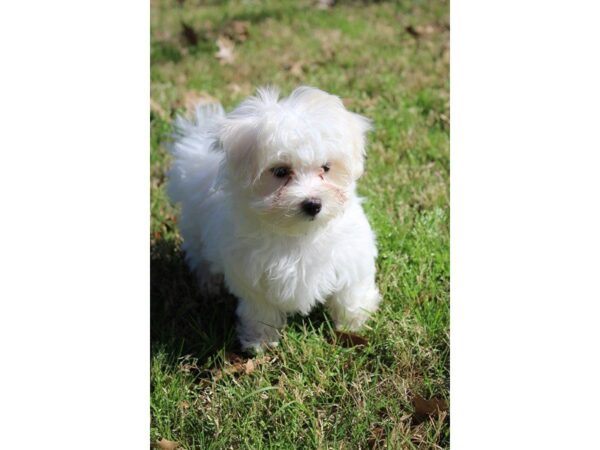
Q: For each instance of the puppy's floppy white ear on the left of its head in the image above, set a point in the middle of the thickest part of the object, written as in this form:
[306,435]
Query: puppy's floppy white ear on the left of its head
[238,135]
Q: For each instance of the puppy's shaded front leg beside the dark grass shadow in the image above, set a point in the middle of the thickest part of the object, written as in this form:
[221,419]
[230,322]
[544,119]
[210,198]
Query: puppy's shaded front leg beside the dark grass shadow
[258,324]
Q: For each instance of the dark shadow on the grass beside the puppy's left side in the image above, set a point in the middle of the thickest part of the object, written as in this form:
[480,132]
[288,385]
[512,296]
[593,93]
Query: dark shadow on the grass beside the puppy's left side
[182,320]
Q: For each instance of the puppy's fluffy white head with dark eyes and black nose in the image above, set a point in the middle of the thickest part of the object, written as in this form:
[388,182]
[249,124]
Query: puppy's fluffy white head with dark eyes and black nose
[293,162]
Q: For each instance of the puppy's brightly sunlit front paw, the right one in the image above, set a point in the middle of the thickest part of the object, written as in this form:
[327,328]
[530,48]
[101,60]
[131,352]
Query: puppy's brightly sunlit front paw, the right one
[351,307]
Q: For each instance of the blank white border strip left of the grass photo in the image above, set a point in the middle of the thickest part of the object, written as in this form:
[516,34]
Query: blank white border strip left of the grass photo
[74,319]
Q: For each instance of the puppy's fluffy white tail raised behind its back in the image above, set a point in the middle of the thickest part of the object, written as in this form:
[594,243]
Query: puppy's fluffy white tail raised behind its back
[195,162]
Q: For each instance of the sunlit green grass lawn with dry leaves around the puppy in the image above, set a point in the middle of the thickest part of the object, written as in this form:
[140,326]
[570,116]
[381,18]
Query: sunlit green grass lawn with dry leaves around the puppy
[388,61]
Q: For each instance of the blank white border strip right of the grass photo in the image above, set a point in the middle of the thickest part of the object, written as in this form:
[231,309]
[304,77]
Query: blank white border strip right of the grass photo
[525,224]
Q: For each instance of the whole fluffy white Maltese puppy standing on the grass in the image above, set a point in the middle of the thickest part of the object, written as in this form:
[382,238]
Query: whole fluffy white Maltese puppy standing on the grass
[268,202]
